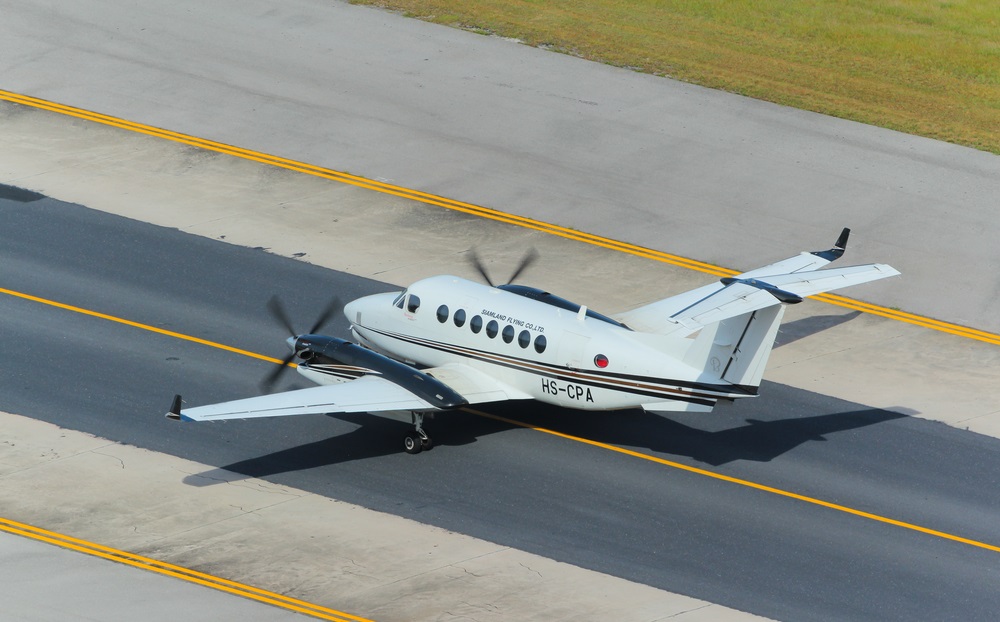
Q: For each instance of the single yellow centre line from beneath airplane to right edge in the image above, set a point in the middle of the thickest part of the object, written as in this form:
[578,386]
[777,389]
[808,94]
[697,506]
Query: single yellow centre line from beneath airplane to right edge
[741,482]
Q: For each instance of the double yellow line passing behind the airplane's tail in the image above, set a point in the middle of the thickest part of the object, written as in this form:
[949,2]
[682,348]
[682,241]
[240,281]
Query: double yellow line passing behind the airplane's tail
[483,212]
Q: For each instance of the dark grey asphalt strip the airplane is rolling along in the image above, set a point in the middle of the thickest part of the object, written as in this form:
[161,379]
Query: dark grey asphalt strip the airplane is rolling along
[714,541]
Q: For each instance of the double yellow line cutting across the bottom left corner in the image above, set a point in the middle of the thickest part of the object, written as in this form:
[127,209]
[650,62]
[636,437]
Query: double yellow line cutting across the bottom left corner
[179,572]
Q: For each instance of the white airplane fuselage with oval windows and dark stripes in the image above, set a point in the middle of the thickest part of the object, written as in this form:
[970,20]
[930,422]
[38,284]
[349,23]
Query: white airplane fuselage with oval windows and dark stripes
[562,356]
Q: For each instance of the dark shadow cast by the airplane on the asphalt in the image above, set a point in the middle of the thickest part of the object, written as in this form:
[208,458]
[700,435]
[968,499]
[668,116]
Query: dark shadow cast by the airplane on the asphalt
[661,434]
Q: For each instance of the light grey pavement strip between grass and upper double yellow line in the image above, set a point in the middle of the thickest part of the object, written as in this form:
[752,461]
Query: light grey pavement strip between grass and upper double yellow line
[647,160]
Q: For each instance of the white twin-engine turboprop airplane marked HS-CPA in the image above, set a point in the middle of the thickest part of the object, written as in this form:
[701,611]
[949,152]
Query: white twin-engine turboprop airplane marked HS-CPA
[446,342]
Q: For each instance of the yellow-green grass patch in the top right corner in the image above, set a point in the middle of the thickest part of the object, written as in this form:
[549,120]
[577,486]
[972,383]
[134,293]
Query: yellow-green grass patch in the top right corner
[923,67]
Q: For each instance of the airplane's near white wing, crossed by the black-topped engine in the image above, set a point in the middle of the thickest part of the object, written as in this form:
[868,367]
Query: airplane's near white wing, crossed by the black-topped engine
[371,393]
